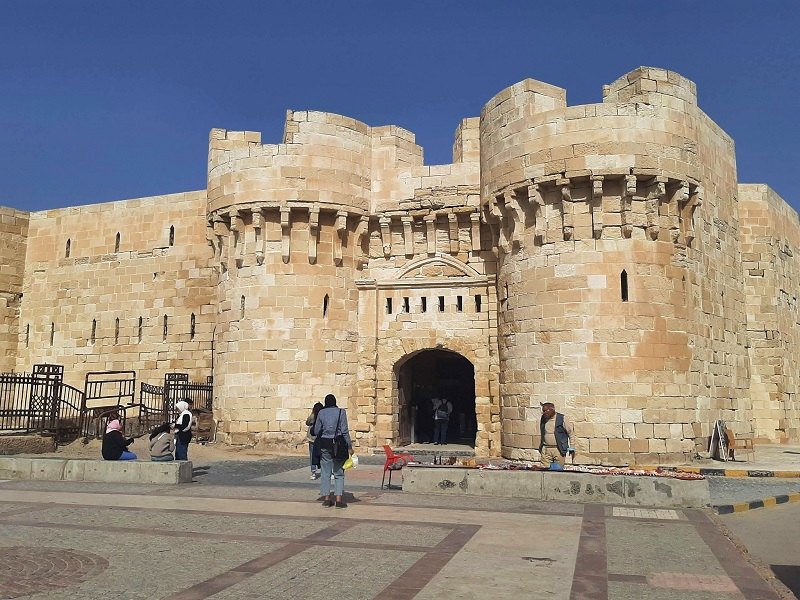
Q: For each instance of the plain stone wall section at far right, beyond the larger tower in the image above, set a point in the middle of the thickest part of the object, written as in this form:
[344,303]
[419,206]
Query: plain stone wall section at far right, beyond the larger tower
[770,246]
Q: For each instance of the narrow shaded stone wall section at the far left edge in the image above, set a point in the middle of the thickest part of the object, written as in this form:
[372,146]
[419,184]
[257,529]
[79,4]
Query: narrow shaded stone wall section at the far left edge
[13,240]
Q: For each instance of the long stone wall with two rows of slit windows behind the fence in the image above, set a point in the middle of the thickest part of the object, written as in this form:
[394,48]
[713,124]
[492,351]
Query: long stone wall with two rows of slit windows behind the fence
[142,301]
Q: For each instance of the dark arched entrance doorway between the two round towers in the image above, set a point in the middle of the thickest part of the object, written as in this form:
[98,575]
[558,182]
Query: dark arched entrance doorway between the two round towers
[436,374]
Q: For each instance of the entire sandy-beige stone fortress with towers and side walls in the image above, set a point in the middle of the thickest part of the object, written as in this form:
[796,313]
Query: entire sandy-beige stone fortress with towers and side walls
[603,257]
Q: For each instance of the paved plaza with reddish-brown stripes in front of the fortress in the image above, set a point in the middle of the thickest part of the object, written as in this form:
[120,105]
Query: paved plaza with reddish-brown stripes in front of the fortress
[257,530]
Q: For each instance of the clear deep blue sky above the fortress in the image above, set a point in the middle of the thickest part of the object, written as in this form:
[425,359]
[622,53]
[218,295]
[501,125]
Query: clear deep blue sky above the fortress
[105,100]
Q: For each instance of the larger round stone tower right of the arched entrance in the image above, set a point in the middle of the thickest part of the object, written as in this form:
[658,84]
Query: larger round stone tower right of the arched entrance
[619,288]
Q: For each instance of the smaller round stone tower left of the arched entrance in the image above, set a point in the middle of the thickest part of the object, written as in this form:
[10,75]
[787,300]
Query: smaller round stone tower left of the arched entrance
[284,226]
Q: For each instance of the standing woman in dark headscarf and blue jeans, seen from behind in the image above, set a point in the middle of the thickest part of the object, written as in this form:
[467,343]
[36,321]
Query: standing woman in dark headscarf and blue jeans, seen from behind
[332,421]
